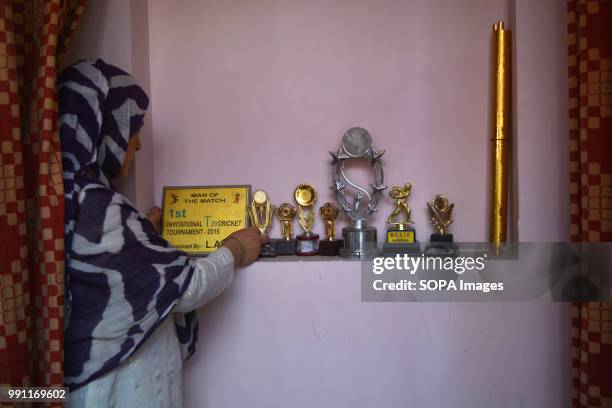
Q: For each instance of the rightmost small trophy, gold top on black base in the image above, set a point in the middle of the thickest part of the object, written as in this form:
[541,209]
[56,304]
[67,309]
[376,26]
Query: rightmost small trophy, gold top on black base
[441,212]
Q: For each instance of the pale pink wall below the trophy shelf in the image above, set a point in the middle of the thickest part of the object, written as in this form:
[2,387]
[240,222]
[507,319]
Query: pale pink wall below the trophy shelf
[297,335]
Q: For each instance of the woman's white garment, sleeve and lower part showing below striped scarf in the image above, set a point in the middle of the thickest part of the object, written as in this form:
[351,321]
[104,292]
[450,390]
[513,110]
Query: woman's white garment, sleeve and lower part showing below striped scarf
[152,376]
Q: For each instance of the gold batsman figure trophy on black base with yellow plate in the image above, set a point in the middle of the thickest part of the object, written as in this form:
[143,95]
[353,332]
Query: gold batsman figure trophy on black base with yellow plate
[401,237]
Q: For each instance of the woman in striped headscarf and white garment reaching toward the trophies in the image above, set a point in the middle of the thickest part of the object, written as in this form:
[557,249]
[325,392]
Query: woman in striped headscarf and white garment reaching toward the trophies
[131,298]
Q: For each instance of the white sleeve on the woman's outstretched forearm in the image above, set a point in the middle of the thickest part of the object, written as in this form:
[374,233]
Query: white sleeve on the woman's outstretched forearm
[212,275]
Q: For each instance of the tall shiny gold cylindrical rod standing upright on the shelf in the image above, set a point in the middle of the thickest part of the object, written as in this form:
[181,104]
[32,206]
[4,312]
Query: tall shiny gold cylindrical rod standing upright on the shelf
[500,134]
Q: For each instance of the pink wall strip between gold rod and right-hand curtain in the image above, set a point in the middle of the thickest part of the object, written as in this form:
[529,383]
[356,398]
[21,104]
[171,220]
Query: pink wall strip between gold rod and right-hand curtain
[541,120]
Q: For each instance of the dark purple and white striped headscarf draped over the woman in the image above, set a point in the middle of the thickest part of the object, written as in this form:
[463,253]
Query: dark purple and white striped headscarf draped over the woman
[123,279]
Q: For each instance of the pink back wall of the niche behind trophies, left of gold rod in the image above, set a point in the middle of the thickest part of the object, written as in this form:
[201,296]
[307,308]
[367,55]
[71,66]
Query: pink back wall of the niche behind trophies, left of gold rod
[268,88]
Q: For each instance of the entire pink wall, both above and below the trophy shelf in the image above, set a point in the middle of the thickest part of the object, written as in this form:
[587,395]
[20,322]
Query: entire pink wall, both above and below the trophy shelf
[259,92]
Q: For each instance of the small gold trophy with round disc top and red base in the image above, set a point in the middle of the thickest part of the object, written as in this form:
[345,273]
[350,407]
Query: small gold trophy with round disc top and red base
[308,242]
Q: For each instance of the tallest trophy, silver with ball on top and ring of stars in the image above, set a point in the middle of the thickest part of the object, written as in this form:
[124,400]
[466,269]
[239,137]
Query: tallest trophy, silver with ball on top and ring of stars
[359,239]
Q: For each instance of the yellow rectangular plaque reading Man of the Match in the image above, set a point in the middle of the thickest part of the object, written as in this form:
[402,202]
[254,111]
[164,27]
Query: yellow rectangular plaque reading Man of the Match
[197,219]
